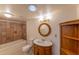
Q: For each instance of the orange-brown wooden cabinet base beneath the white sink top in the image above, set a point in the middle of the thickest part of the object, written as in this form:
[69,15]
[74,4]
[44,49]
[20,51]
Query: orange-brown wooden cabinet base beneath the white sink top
[42,50]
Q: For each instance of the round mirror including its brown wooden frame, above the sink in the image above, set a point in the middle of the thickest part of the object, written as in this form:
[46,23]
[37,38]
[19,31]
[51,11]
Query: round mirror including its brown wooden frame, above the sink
[44,29]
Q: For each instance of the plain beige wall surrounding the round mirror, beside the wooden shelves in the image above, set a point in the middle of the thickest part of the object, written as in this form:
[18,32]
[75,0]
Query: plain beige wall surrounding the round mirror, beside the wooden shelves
[62,15]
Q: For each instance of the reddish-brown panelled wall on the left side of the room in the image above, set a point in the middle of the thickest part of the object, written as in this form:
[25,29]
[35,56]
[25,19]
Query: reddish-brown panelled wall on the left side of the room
[11,31]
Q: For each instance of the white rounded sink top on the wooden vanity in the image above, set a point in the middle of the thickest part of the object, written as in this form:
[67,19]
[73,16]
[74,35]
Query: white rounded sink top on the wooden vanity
[42,42]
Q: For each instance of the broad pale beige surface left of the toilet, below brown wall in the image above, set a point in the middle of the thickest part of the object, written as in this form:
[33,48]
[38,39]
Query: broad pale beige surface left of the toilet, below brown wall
[12,48]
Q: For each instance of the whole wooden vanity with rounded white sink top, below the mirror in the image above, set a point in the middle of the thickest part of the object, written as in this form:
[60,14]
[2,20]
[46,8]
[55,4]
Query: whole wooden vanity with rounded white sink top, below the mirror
[42,47]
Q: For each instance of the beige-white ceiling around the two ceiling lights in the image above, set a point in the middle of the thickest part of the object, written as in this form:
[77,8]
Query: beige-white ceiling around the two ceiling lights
[20,11]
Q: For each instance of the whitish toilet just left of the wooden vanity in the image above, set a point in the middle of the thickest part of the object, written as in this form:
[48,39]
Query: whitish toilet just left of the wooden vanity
[27,49]
